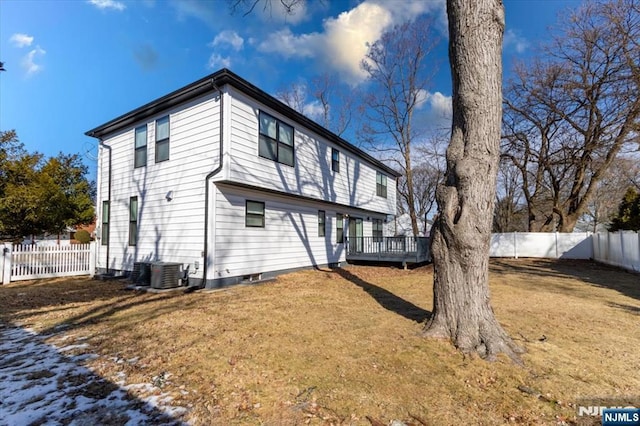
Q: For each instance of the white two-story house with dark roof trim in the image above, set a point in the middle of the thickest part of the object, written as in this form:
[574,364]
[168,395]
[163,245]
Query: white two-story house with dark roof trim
[233,184]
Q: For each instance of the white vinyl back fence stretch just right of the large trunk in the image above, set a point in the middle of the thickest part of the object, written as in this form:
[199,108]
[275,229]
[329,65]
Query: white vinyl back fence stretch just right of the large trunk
[552,245]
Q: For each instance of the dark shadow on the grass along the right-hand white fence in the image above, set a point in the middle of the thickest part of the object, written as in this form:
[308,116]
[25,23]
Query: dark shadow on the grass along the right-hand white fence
[591,273]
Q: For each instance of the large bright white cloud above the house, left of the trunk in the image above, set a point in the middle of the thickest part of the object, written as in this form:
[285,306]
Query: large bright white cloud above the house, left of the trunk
[342,44]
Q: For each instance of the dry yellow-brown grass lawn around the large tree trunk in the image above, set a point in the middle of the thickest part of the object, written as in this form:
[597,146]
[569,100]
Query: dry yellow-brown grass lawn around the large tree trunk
[324,347]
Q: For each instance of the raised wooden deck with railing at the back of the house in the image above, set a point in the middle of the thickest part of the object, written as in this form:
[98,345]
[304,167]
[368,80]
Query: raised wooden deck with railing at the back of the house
[405,250]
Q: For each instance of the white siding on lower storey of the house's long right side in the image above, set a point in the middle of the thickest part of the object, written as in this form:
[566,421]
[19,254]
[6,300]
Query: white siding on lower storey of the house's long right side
[288,240]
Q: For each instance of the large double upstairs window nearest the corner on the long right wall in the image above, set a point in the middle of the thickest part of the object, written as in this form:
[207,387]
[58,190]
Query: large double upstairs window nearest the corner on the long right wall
[276,140]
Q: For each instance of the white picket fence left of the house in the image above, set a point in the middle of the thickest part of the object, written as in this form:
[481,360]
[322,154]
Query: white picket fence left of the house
[27,262]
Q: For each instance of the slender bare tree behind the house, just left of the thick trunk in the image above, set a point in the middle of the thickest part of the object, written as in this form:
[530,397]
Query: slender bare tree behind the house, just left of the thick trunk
[399,79]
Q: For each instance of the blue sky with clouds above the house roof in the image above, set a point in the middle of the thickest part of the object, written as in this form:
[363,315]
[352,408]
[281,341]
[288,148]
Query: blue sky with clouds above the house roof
[73,65]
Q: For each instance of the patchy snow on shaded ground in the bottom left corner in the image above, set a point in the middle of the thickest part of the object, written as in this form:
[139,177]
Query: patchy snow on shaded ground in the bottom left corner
[39,384]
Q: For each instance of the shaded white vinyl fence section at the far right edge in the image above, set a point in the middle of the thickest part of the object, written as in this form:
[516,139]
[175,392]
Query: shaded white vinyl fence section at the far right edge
[618,249]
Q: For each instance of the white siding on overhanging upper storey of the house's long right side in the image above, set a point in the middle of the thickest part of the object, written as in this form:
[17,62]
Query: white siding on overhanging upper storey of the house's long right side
[312,175]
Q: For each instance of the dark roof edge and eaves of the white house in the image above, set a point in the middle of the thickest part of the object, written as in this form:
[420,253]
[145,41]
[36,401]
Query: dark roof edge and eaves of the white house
[211,83]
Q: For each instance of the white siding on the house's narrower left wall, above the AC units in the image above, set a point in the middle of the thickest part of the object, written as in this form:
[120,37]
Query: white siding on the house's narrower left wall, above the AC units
[166,230]
